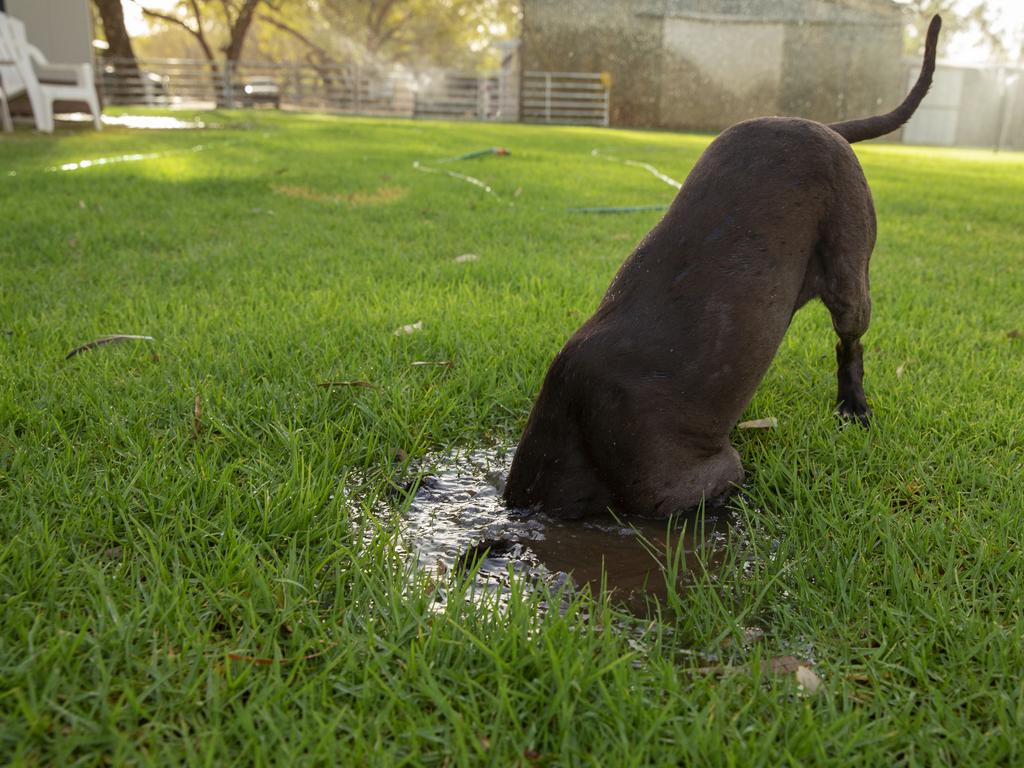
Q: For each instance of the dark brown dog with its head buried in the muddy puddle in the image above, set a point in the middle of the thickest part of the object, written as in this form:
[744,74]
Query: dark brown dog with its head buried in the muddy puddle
[636,410]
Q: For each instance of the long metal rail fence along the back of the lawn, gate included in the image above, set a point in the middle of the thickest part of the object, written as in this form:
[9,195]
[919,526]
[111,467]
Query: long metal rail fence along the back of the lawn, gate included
[548,98]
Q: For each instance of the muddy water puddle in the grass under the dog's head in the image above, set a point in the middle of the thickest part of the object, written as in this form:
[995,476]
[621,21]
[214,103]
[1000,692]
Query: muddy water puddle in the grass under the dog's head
[457,520]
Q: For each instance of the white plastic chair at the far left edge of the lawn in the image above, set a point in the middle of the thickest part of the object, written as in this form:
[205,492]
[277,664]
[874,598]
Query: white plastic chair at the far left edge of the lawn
[24,69]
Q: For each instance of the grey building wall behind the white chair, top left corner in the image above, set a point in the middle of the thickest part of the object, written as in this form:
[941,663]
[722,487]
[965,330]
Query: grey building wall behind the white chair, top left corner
[61,29]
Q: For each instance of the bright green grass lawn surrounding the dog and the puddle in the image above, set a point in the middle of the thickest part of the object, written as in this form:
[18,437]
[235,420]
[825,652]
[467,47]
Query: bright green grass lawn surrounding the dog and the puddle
[189,571]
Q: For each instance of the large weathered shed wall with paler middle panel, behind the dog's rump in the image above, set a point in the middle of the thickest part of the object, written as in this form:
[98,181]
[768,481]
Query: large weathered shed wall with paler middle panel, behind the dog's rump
[704,65]
